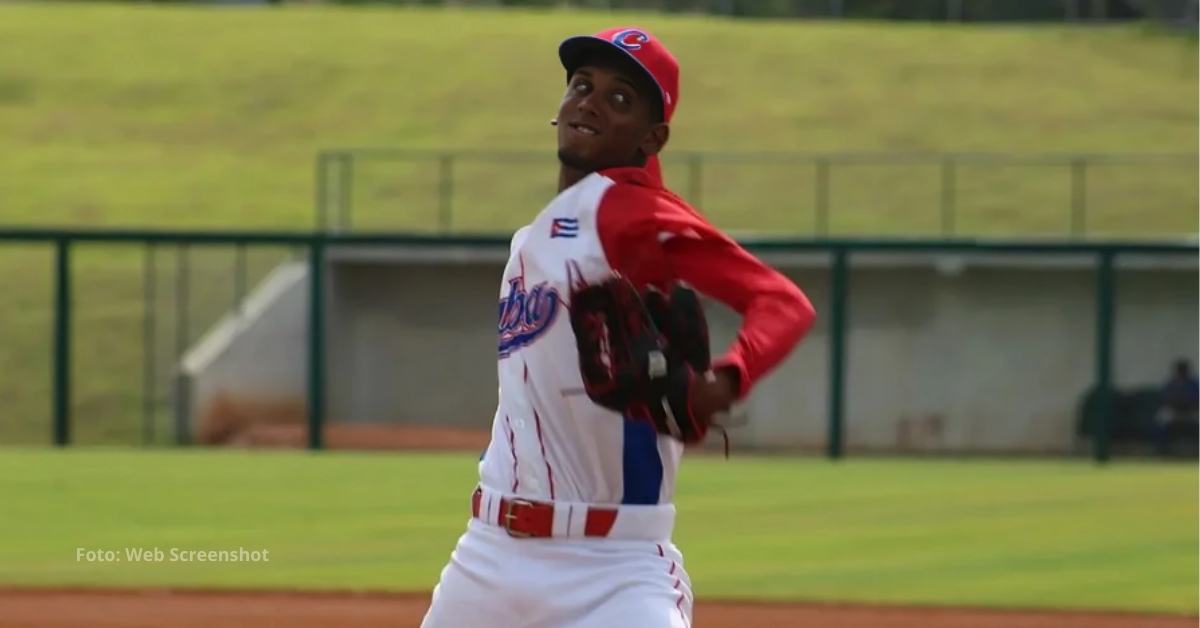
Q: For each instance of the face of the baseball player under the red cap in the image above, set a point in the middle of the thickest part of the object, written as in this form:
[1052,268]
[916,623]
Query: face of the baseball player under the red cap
[604,122]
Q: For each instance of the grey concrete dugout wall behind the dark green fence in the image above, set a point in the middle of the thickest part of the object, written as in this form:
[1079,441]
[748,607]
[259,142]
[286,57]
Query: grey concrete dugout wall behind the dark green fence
[946,352]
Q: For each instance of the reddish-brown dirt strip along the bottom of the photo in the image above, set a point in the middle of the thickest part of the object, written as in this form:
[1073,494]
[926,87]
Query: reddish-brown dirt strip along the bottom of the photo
[179,609]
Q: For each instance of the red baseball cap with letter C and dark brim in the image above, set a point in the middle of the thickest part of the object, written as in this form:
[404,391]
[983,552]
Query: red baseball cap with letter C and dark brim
[639,45]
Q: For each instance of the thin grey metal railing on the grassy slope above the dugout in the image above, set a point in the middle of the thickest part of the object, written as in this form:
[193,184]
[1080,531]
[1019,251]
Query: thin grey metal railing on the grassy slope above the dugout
[939,194]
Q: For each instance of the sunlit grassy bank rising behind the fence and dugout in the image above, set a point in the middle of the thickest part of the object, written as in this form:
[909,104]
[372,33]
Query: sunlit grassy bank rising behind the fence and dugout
[212,117]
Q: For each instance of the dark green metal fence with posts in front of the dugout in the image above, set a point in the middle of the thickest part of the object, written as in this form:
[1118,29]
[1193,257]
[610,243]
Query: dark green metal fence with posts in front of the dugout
[317,244]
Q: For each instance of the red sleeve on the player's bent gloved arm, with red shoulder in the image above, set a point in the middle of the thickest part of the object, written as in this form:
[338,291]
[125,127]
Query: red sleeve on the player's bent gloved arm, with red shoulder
[655,238]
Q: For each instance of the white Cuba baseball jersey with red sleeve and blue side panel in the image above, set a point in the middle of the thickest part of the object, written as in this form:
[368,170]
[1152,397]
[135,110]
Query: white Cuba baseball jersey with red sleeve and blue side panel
[550,441]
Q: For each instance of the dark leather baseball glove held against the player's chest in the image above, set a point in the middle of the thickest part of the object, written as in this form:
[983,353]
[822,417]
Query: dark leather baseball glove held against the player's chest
[640,355]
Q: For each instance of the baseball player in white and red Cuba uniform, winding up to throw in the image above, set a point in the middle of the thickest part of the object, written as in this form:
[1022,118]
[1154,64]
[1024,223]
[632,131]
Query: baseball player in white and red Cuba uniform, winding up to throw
[604,368]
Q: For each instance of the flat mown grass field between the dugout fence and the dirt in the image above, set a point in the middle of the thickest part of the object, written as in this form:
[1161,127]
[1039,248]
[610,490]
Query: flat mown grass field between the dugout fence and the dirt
[1015,535]
